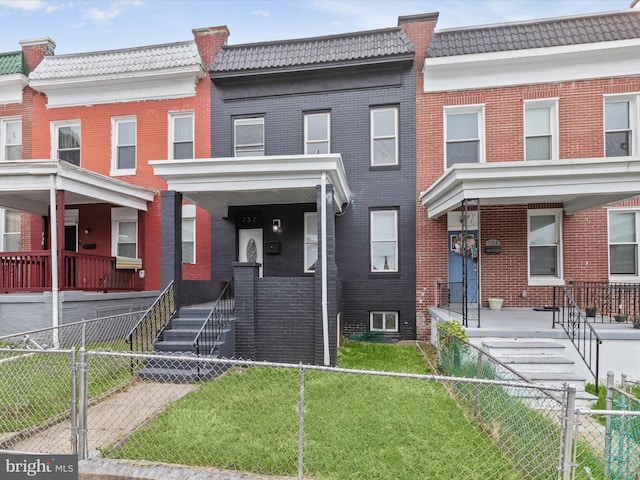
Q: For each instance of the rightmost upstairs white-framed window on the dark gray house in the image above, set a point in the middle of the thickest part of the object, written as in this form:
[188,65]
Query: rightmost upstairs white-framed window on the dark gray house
[384,136]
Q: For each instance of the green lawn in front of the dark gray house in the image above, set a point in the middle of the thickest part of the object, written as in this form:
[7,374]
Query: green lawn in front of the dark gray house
[356,426]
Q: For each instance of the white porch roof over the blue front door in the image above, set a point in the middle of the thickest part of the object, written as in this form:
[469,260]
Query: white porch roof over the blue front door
[578,184]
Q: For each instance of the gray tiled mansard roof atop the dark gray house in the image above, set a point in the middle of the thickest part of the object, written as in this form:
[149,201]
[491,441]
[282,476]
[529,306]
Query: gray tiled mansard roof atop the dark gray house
[308,52]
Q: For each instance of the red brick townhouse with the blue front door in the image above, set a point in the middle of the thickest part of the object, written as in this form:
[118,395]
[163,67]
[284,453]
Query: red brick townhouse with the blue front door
[528,160]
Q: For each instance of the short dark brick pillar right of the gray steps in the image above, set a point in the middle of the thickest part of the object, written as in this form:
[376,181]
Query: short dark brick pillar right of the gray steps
[245,275]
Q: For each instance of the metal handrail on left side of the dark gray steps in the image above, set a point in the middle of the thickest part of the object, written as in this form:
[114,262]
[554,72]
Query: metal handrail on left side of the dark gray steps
[148,329]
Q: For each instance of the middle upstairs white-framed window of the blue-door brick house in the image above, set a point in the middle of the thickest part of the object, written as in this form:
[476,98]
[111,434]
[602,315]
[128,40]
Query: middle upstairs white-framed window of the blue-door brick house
[541,130]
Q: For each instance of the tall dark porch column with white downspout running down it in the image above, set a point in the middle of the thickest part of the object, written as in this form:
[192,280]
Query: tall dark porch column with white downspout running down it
[329,305]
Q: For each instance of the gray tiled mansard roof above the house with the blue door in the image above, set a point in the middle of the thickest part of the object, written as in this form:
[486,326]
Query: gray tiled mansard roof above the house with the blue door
[553,32]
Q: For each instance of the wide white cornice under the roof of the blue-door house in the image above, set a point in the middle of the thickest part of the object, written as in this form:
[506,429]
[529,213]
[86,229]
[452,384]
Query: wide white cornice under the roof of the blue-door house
[537,65]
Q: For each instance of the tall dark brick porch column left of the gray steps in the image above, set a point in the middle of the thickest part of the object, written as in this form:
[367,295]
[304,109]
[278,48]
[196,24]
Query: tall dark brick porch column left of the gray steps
[171,242]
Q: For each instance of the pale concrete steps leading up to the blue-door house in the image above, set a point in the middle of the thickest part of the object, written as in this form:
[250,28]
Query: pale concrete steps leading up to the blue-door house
[540,361]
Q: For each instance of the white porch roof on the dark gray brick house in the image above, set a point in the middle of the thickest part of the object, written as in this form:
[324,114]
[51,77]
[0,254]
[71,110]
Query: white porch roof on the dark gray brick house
[218,183]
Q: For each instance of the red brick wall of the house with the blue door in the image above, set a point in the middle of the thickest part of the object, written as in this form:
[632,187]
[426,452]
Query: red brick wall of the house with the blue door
[581,135]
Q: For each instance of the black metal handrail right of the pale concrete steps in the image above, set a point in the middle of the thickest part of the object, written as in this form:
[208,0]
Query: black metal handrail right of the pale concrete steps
[583,339]
